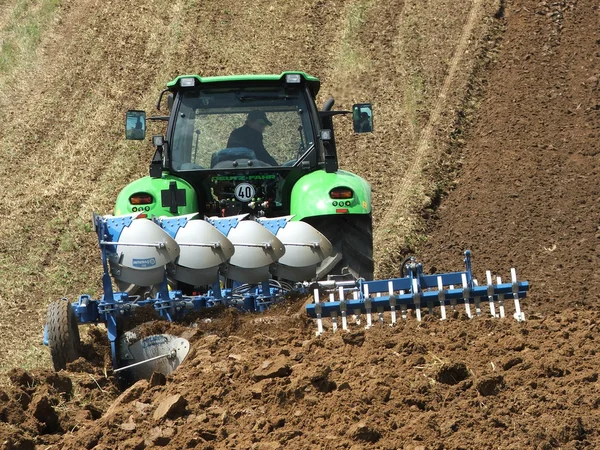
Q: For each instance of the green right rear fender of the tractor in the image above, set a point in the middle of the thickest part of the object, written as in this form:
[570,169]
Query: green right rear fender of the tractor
[311,197]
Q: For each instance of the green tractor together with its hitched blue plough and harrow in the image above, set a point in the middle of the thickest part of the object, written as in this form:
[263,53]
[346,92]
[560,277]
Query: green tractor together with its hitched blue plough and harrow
[244,204]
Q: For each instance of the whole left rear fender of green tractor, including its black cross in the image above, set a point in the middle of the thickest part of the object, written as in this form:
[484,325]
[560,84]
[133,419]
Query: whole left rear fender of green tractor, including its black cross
[168,196]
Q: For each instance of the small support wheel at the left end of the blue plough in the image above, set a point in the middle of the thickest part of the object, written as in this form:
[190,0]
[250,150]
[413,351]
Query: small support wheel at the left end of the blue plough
[63,334]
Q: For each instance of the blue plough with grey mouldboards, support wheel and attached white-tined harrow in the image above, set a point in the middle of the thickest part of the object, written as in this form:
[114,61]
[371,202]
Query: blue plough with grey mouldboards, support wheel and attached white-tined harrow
[156,254]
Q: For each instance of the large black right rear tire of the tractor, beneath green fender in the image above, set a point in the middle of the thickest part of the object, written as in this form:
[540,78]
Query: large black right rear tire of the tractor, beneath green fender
[352,236]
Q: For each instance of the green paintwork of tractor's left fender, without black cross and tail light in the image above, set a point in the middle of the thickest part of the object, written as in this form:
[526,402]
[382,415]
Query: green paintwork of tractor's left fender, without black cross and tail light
[155,187]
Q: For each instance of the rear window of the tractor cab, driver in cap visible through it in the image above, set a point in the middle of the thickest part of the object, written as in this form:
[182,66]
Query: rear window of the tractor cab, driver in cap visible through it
[243,127]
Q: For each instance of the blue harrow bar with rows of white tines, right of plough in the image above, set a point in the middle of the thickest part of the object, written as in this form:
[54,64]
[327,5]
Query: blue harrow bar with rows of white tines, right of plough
[415,291]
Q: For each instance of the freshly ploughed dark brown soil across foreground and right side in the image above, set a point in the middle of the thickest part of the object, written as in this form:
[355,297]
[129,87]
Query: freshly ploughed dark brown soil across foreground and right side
[526,195]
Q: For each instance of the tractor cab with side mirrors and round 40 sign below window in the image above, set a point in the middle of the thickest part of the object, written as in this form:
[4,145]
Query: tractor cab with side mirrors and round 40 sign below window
[242,142]
